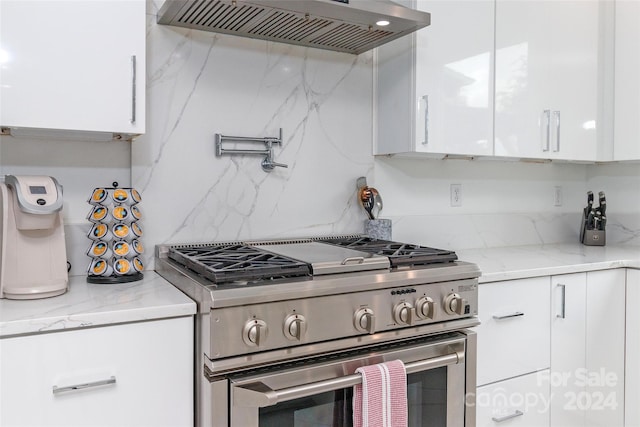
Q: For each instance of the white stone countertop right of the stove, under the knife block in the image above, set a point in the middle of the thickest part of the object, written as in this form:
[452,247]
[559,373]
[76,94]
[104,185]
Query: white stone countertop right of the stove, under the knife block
[520,262]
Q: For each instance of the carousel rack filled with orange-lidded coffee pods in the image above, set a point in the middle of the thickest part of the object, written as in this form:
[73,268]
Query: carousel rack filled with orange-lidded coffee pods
[116,250]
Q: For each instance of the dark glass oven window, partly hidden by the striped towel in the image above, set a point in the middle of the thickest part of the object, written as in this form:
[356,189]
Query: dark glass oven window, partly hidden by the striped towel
[426,395]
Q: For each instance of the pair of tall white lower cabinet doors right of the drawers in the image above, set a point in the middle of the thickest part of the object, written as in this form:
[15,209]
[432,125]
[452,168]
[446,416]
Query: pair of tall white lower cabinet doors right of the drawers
[587,349]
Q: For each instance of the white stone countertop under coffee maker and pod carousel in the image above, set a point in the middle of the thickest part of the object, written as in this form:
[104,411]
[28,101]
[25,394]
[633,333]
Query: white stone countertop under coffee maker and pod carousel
[87,305]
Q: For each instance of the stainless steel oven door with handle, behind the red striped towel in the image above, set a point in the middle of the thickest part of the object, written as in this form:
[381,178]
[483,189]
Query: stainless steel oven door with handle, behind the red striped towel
[318,392]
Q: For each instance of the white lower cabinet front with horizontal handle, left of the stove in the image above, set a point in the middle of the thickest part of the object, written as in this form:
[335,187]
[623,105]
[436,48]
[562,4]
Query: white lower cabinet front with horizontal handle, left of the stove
[138,374]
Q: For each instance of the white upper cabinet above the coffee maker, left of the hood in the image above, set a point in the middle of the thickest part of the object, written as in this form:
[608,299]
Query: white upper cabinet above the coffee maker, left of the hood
[73,65]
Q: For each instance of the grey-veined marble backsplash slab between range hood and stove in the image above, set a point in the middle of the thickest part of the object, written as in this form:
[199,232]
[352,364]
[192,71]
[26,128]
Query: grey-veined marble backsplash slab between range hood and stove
[204,83]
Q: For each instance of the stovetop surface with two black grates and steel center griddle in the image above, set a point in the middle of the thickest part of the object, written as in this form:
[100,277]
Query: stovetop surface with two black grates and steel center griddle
[268,260]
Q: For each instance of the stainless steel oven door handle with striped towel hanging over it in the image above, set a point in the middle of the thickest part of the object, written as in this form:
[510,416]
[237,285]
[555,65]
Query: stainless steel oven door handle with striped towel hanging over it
[258,394]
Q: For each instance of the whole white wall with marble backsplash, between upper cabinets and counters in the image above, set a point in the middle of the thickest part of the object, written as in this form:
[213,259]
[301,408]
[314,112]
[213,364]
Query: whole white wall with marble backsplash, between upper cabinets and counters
[203,83]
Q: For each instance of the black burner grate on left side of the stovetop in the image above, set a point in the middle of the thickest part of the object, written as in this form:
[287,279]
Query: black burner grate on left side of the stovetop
[236,262]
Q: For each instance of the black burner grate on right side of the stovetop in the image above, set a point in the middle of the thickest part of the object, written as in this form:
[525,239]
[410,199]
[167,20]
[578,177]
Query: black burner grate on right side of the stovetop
[399,254]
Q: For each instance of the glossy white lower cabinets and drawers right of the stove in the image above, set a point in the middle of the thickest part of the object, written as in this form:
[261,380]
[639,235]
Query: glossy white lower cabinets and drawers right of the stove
[576,354]
